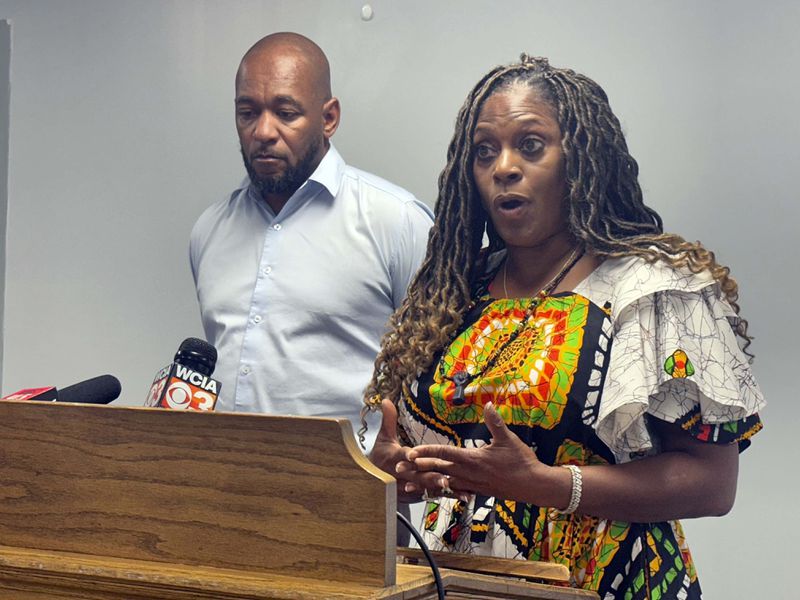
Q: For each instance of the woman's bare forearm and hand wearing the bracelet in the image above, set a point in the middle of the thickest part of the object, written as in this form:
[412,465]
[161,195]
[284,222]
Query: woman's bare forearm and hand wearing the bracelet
[687,479]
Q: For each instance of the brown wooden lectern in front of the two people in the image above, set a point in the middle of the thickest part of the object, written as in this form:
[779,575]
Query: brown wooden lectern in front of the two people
[105,502]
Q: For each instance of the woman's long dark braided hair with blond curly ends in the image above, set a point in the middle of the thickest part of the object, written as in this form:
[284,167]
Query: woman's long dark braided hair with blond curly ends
[606,213]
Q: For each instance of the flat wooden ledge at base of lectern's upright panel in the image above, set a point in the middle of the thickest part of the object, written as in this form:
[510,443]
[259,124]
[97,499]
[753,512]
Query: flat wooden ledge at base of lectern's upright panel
[61,575]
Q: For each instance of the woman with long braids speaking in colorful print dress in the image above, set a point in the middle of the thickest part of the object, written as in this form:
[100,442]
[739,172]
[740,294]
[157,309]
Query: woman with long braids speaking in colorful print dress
[572,389]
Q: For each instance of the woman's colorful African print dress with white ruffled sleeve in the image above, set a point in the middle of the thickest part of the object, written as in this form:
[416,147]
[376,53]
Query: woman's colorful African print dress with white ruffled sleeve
[578,383]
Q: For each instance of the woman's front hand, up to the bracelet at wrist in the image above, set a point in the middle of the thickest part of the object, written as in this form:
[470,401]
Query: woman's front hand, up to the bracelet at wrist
[505,468]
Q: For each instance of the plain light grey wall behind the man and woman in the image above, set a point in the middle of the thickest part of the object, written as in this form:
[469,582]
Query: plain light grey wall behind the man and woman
[122,132]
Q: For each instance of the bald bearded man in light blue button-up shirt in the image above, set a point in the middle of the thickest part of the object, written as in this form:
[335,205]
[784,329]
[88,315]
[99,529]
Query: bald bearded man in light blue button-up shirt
[299,269]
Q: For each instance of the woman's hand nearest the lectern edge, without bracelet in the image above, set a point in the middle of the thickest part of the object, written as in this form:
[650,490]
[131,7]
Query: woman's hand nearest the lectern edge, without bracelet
[390,456]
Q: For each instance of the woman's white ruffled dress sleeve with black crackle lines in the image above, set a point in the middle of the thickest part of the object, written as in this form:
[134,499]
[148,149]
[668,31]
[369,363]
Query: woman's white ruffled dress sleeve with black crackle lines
[674,357]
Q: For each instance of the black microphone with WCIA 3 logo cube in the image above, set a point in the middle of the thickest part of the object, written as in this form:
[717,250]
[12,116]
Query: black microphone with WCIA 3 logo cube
[185,383]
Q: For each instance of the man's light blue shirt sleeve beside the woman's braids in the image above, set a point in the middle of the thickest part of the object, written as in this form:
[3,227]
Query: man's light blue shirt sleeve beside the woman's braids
[411,245]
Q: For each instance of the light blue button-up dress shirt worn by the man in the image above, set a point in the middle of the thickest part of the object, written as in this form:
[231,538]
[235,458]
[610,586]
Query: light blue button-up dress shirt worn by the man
[296,303]
